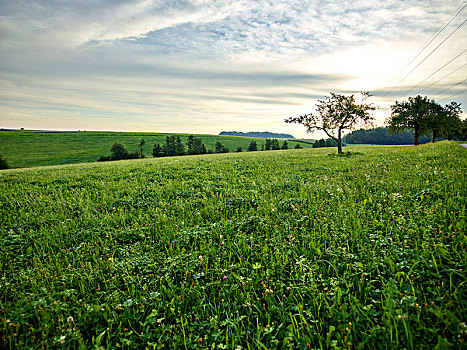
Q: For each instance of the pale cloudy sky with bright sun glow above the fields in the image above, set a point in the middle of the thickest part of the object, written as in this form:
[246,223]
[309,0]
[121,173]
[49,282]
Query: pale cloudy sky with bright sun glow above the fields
[203,67]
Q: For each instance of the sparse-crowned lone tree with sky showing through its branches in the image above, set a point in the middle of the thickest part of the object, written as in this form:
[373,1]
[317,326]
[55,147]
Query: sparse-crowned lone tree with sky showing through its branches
[335,114]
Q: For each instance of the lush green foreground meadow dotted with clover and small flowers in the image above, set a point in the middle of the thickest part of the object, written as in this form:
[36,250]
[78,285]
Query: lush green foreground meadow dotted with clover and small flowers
[263,250]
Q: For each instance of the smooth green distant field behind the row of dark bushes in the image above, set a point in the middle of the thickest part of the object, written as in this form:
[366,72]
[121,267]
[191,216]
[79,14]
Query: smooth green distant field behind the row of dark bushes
[37,148]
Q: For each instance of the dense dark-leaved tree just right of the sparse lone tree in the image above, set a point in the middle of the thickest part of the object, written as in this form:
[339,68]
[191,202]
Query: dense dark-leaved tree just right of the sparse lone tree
[417,114]
